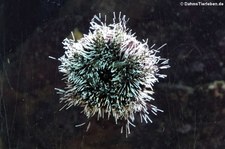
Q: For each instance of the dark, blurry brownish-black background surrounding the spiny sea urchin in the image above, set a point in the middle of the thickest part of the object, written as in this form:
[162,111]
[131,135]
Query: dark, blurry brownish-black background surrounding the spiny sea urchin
[192,95]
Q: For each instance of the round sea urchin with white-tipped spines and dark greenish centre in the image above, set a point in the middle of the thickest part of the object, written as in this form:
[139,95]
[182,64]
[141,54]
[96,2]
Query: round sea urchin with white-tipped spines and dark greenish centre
[109,72]
